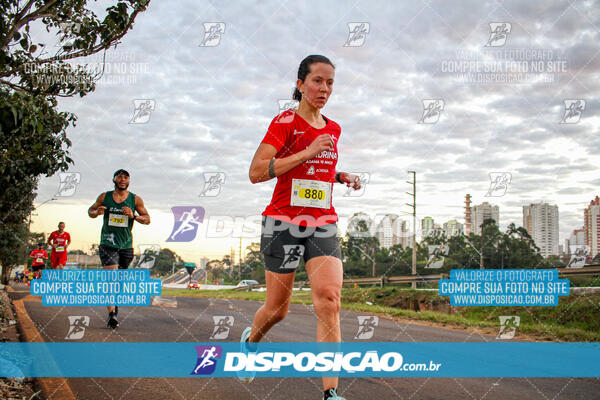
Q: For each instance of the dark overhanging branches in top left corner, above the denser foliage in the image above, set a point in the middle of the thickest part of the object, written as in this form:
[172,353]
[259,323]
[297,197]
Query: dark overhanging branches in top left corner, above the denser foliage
[31,67]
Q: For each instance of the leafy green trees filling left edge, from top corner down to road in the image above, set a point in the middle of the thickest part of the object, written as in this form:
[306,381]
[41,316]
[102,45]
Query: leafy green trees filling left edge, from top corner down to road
[33,139]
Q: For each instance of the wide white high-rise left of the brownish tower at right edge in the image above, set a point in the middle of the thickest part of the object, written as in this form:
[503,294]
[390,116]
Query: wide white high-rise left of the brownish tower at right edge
[541,222]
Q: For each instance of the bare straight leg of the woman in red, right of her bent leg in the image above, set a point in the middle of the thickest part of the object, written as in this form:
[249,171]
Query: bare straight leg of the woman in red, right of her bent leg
[326,277]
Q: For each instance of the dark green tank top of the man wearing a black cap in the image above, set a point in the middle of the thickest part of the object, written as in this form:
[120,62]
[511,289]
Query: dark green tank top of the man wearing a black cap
[116,229]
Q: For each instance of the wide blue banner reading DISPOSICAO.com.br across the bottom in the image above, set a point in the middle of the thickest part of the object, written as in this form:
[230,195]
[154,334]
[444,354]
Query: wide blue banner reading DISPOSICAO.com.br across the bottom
[366,359]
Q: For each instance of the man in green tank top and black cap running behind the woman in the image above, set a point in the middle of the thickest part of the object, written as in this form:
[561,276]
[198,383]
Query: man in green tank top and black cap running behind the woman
[116,243]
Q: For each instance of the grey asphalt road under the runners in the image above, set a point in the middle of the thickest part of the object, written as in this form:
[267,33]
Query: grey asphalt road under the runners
[191,321]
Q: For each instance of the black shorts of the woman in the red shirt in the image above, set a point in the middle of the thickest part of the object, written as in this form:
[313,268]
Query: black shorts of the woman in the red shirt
[283,243]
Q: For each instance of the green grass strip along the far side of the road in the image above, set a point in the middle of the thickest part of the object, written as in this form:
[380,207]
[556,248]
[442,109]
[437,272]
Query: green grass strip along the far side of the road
[576,318]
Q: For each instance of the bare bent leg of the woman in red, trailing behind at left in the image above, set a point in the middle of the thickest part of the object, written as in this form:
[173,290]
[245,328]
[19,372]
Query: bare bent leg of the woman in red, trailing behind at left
[279,292]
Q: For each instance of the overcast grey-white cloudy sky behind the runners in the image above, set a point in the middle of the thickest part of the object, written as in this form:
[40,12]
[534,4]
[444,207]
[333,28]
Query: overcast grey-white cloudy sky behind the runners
[213,104]
